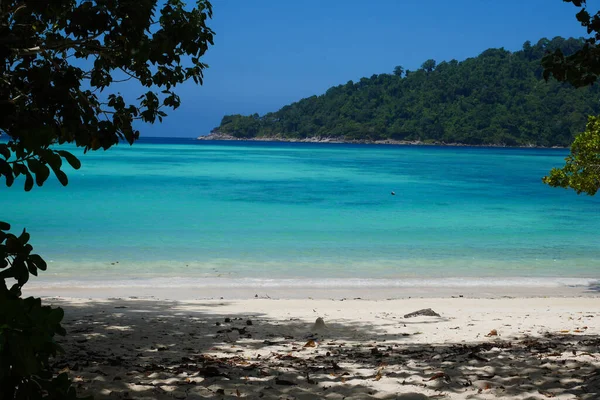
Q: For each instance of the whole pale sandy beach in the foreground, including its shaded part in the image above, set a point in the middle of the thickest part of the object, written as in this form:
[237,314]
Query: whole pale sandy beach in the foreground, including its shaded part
[264,348]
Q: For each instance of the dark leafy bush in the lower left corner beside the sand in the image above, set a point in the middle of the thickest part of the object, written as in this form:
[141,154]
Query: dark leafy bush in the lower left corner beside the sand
[27,329]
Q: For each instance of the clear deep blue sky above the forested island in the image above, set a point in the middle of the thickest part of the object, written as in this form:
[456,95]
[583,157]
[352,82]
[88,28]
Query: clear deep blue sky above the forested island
[269,53]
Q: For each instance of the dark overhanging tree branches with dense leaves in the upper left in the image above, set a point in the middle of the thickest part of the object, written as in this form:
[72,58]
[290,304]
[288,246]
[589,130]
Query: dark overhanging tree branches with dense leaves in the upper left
[62,61]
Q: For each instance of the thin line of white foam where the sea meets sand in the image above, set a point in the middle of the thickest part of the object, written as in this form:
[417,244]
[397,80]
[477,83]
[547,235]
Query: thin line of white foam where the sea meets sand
[324,283]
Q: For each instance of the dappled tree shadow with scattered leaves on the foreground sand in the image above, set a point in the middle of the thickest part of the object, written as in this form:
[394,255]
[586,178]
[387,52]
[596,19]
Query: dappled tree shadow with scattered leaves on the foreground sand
[162,350]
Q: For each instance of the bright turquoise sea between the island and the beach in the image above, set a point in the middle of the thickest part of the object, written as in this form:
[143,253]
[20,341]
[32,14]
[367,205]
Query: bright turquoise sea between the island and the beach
[174,211]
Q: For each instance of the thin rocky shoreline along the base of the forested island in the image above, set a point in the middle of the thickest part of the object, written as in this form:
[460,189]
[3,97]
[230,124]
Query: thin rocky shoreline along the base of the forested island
[318,139]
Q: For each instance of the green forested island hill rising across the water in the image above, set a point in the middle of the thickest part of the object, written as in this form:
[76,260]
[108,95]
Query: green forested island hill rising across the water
[498,98]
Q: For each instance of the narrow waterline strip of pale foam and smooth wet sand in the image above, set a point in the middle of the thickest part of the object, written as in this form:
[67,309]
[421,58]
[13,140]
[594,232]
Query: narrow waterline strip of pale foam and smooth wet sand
[197,290]
